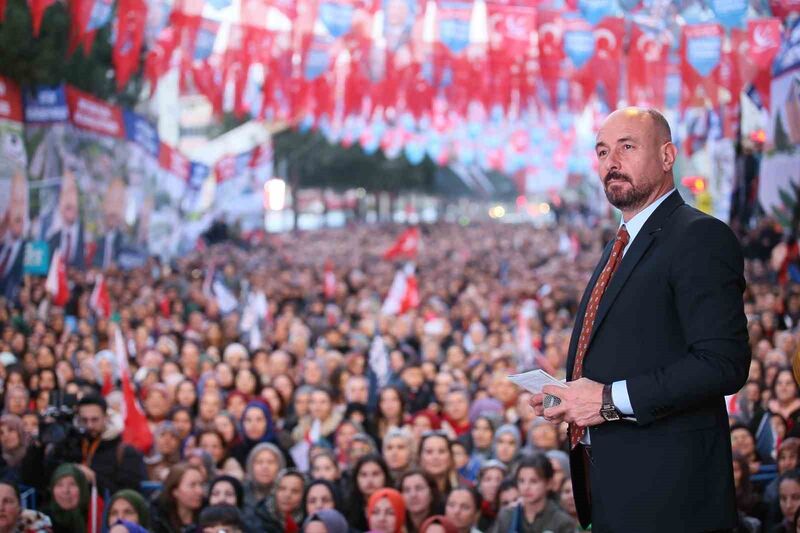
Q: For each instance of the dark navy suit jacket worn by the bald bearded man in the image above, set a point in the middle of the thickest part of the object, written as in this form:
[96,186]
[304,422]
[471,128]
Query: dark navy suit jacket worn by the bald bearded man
[672,324]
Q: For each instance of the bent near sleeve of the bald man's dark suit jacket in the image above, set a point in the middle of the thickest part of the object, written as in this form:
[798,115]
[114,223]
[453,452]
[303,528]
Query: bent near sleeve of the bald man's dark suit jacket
[707,283]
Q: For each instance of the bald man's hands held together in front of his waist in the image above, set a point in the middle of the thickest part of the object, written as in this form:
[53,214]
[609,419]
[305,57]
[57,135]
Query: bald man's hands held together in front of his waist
[580,404]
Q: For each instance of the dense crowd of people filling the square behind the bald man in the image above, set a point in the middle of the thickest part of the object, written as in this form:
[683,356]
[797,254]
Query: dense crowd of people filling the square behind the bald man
[304,406]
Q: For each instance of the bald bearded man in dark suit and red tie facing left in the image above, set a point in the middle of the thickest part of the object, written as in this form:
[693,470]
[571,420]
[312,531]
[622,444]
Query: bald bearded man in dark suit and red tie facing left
[660,338]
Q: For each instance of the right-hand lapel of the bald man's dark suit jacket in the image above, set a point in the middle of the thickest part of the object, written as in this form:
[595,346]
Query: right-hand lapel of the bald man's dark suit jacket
[634,254]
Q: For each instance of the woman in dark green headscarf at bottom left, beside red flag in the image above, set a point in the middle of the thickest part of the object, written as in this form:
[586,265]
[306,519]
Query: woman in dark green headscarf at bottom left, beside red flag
[72,509]
